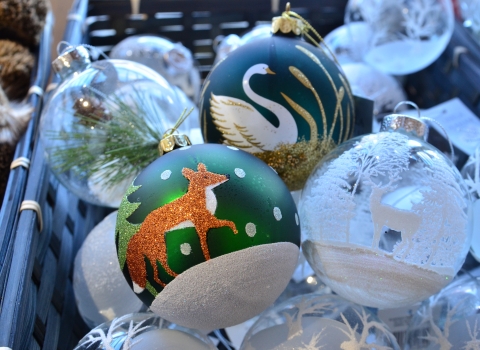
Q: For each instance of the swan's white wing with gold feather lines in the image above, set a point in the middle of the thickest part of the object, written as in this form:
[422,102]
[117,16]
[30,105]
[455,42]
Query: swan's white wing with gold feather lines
[244,124]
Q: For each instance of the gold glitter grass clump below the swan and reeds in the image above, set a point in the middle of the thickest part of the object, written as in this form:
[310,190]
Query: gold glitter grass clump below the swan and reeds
[294,163]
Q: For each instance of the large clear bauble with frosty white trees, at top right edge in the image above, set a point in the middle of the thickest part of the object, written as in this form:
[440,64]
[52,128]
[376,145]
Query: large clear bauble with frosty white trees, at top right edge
[403,36]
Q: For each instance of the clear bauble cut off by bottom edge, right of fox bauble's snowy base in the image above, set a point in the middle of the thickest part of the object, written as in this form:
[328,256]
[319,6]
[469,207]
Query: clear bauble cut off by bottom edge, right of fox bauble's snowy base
[315,321]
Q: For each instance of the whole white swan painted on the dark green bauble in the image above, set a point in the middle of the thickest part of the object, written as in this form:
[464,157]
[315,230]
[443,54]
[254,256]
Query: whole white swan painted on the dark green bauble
[244,127]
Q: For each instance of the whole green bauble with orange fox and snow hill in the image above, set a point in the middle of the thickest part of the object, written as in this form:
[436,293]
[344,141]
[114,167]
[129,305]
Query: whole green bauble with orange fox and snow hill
[204,229]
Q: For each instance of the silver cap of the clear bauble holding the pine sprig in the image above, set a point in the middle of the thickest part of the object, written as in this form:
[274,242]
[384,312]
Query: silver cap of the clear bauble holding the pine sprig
[74,59]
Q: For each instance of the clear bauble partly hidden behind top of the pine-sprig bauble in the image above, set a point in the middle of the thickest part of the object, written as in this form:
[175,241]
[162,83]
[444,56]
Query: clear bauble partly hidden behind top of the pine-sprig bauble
[173,61]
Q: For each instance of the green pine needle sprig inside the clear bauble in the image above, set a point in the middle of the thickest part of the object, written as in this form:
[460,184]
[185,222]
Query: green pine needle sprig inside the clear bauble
[114,148]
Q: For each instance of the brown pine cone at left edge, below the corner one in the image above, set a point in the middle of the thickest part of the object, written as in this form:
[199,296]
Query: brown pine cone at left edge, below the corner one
[16,64]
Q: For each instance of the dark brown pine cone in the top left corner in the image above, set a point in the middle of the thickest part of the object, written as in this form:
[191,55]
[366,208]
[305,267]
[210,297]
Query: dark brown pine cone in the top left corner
[23,20]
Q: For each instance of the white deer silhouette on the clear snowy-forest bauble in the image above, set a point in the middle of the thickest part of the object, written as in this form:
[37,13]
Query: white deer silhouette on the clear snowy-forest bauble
[405,221]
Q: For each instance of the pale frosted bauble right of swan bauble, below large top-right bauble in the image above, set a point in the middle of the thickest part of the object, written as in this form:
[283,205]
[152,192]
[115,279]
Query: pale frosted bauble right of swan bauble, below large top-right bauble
[366,81]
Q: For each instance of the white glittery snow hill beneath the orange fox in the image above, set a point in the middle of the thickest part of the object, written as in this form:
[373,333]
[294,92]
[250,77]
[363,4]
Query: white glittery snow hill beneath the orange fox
[229,289]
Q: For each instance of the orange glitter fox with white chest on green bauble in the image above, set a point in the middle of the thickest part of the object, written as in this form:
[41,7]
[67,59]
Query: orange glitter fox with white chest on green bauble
[196,208]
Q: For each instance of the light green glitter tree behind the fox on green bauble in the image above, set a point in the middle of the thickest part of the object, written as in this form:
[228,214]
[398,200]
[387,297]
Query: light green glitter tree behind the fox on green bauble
[123,225]
